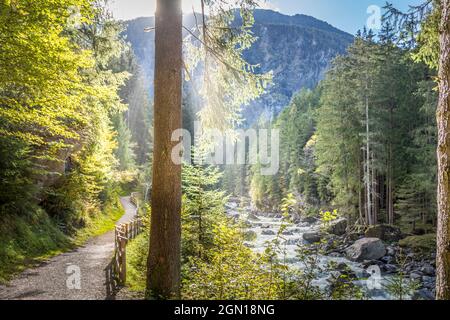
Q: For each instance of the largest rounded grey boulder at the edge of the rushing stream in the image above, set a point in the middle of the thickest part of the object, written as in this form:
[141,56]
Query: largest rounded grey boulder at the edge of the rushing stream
[366,249]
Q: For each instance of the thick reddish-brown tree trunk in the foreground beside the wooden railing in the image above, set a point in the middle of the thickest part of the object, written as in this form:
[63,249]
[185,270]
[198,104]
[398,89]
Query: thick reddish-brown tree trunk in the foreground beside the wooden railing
[163,280]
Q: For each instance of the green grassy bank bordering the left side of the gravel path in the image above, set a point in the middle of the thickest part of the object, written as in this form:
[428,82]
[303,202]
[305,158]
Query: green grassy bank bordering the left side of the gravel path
[28,240]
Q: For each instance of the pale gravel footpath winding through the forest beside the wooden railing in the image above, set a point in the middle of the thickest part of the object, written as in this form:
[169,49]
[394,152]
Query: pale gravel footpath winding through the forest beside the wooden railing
[52,279]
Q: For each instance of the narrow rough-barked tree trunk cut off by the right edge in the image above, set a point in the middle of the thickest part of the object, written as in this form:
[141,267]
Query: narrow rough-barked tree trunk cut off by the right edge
[443,153]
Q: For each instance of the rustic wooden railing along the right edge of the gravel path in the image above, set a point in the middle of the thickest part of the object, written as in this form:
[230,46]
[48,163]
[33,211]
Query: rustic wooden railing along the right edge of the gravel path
[124,233]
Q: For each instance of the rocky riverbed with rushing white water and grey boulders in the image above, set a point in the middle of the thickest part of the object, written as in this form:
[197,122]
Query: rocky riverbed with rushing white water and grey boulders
[371,257]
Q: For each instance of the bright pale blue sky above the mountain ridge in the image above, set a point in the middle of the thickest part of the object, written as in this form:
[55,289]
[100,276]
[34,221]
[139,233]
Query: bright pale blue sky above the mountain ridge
[347,15]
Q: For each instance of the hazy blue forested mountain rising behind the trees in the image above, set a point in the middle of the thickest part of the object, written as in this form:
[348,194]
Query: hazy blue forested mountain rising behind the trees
[298,49]
